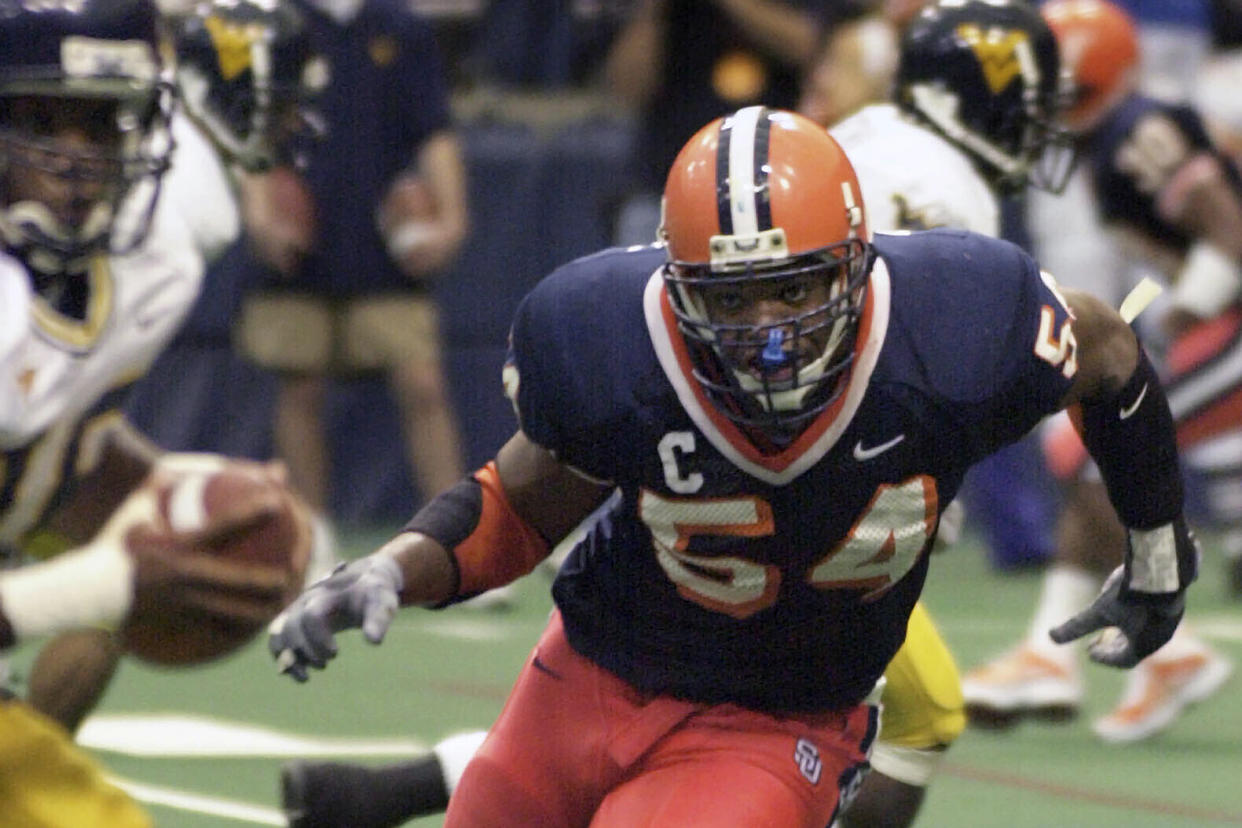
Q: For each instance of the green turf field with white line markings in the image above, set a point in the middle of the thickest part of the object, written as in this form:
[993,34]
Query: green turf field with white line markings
[203,745]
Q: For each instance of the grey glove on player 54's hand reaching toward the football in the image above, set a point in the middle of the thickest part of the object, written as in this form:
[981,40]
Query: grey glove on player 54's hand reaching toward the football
[358,594]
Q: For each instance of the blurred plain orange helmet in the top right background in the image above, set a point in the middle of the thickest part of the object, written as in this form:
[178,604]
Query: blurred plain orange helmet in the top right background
[1100,50]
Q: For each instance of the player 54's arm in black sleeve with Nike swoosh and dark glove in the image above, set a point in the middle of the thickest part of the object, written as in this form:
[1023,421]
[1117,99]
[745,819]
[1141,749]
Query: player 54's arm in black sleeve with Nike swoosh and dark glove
[1128,429]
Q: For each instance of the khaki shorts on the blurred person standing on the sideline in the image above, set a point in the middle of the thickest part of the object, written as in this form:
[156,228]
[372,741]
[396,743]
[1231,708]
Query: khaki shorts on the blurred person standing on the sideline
[300,333]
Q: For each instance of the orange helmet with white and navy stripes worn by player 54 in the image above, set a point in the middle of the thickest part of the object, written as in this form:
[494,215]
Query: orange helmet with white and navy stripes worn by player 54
[766,197]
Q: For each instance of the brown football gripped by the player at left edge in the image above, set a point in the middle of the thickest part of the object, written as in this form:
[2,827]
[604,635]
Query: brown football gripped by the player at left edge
[235,512]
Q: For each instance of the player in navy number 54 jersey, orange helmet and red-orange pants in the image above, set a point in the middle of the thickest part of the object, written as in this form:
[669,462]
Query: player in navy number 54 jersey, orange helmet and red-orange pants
[784,420]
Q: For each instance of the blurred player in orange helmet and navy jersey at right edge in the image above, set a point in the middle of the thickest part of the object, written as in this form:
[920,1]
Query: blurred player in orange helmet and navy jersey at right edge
[1177,202]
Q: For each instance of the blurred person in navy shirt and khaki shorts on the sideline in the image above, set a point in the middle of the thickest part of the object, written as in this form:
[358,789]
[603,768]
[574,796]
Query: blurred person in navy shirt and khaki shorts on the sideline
[351,248]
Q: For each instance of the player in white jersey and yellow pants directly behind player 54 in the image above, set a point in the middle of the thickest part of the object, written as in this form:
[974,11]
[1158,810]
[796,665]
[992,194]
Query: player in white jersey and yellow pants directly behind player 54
[992,138]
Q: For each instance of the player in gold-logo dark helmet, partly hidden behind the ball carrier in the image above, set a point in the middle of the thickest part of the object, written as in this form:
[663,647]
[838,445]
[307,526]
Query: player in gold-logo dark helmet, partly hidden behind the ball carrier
[244,75]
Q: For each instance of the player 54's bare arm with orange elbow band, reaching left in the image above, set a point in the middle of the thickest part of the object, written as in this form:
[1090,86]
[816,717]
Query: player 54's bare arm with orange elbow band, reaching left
[486,532]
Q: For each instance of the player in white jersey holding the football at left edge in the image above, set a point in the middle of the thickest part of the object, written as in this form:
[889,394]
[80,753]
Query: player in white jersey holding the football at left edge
[97,274]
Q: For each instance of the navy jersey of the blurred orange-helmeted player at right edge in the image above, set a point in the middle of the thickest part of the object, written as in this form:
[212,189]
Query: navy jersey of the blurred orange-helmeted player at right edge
[1136,153]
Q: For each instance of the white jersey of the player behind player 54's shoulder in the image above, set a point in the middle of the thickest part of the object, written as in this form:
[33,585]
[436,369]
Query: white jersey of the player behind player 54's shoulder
[912,178]
